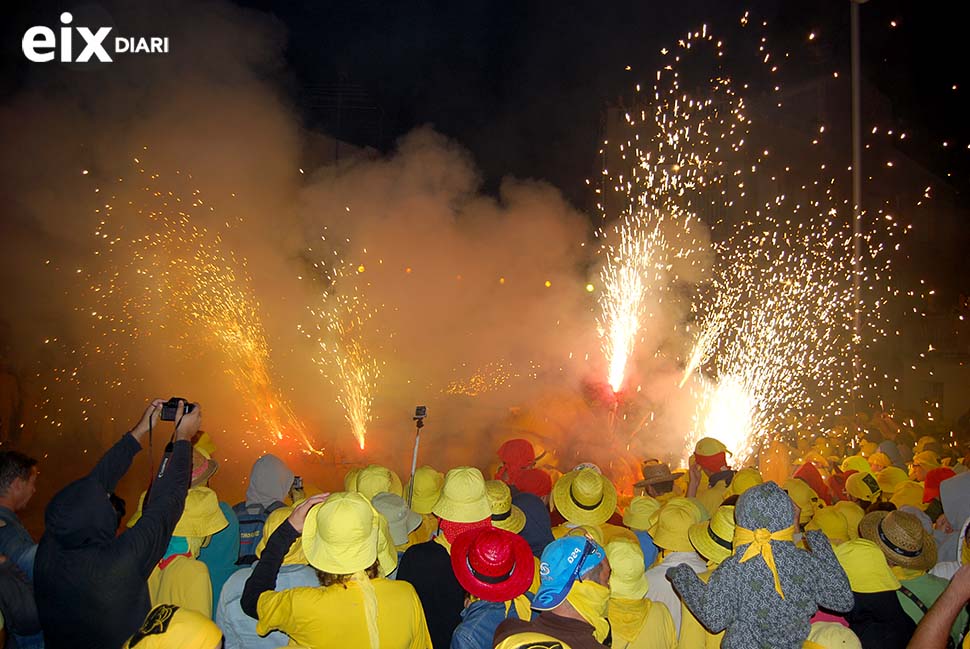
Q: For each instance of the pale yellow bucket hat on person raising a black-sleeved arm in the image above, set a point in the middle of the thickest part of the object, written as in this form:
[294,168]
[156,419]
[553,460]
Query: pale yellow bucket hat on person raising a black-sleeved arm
[340,534]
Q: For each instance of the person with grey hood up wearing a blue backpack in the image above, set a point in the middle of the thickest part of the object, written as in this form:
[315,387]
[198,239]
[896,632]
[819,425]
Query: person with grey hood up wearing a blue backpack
[270,482]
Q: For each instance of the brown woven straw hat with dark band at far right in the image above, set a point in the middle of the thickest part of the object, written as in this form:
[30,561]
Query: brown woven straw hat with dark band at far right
[901,538]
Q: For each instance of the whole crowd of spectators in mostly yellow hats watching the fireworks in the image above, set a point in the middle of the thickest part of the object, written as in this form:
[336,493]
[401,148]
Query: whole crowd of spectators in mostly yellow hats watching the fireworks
[841,541]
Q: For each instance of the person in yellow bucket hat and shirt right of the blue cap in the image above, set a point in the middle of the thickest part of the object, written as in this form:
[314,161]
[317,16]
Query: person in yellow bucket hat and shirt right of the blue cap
[636,622]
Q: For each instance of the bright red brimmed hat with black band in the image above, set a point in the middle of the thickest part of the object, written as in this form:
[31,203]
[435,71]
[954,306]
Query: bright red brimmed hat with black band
[493,564]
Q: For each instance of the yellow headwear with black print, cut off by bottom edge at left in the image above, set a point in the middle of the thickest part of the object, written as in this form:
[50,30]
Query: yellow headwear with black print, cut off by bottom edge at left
[170,627]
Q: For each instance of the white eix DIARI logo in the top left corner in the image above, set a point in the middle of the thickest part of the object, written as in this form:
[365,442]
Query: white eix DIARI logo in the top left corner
[42,44]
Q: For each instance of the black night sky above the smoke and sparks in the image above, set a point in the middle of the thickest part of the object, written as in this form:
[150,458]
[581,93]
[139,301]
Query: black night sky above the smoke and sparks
[523,85]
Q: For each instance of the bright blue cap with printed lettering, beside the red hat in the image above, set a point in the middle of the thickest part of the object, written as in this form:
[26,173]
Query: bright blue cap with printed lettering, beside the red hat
[563,562]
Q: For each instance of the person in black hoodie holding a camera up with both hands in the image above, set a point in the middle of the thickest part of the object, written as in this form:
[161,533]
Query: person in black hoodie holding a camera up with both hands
[92,587]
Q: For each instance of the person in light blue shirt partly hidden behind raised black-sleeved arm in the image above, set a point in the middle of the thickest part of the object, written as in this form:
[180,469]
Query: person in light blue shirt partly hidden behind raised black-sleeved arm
[239,628]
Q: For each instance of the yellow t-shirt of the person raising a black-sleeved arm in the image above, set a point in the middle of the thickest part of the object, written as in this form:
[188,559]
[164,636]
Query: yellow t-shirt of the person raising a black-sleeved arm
[334,616]
